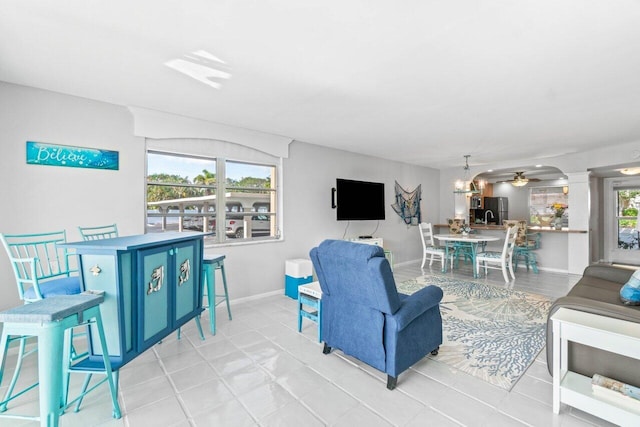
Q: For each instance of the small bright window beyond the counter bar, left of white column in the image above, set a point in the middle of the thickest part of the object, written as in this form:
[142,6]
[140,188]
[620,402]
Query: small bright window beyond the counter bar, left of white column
[548,203]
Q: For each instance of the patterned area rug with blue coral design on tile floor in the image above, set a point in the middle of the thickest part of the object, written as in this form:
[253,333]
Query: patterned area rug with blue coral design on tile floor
[489,332]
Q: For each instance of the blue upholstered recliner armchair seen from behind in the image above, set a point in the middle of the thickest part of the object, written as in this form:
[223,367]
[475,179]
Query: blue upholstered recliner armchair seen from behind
[364,315]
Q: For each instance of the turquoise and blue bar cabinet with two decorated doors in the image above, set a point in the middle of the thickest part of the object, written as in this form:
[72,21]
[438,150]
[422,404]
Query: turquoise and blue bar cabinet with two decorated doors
[152,286]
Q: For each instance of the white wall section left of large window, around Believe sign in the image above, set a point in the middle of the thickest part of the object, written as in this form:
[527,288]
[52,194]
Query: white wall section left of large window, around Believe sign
[49,198]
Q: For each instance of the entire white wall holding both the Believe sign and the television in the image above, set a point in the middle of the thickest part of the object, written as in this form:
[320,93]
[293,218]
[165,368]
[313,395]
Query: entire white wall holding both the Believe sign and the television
[45,198]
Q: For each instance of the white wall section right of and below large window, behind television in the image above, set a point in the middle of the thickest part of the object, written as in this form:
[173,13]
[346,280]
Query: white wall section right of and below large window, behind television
[310,172]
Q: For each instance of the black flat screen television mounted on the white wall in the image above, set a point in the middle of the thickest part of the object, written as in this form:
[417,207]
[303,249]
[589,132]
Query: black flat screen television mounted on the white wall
[359,200]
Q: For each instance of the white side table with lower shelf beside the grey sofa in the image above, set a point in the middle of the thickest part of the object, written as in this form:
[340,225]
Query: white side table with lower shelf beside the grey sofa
[613,335]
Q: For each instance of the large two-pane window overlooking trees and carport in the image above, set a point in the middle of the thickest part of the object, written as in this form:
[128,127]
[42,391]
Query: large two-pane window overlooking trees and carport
[185,193]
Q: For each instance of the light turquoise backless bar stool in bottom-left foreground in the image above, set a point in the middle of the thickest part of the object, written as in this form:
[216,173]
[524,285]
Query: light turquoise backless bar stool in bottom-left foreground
[51,321]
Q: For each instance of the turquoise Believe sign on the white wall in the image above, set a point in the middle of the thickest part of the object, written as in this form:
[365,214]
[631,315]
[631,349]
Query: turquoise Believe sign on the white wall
[39,153]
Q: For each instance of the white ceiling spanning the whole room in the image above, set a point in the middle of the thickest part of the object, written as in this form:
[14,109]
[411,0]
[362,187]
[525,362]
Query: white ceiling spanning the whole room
[423,82]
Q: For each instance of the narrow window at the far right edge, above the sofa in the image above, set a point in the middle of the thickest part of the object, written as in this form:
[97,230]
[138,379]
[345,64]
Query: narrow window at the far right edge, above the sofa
[628,203]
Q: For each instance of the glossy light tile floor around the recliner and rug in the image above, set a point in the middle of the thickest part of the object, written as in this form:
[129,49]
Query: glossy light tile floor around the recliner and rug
[258,370]
